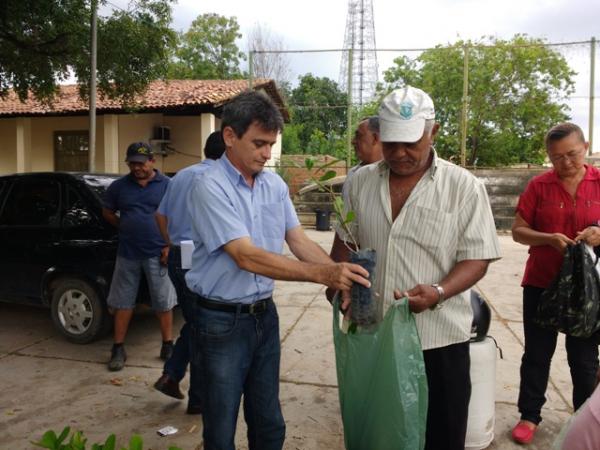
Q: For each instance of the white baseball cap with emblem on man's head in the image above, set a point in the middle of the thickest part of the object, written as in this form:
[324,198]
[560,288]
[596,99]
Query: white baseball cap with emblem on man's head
[403,113]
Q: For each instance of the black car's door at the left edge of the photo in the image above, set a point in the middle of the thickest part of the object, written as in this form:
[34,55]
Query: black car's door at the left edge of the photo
[29,232]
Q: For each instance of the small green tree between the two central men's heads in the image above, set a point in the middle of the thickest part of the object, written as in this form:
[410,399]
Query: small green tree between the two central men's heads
[318,104]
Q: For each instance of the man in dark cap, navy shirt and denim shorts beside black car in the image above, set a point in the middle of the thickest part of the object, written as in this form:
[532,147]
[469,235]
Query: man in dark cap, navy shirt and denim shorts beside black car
[135,197]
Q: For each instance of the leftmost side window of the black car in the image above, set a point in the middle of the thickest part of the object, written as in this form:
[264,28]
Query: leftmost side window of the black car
[32,202]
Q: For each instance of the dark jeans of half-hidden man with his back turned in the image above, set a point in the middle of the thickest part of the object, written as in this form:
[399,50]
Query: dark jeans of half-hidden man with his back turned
[176,365]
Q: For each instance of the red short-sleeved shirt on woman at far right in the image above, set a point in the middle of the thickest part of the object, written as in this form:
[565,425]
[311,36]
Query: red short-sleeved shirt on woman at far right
[547,207]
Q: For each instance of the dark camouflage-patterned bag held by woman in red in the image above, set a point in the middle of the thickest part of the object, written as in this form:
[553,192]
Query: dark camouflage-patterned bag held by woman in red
[572,302]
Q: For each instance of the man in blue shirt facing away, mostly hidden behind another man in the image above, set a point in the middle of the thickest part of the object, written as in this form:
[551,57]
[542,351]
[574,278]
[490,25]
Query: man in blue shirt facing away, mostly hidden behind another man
[175,225]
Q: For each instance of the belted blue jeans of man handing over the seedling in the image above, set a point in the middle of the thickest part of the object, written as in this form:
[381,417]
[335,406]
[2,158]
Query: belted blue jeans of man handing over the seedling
[238,353]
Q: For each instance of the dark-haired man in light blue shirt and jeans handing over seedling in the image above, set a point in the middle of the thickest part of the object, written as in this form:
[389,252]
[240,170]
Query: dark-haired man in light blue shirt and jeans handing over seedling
[241,216]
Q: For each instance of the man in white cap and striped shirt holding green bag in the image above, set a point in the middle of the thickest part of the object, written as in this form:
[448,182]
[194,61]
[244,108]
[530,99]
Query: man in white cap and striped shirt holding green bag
[431,224]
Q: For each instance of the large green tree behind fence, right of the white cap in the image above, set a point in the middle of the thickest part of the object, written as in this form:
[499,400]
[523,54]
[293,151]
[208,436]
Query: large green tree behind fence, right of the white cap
[517,90]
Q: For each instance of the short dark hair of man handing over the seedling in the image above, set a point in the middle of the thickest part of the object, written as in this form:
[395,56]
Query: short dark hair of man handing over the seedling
[250,107]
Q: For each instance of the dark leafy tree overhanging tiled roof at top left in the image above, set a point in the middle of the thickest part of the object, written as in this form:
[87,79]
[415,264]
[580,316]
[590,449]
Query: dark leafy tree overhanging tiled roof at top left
[45,42]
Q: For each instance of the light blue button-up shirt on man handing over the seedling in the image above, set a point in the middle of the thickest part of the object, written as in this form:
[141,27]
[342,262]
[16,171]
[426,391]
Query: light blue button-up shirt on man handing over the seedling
[224,208]
